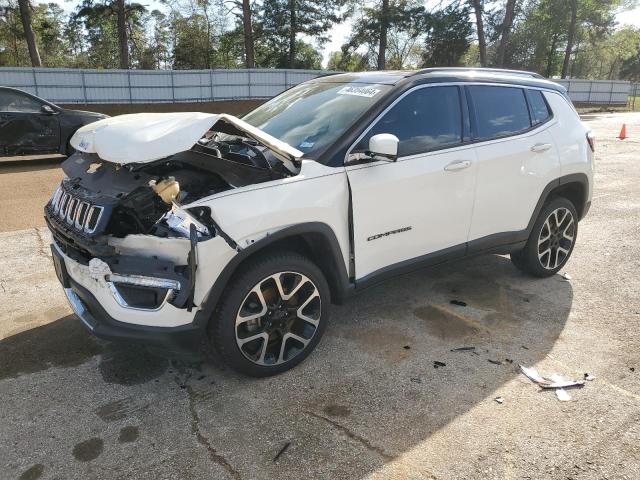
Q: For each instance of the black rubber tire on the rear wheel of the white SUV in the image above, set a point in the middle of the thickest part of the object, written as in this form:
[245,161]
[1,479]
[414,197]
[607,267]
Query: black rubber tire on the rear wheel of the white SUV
[532,259]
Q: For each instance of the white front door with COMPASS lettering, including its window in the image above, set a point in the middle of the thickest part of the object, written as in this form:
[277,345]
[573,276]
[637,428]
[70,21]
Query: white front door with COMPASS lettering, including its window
[422,203]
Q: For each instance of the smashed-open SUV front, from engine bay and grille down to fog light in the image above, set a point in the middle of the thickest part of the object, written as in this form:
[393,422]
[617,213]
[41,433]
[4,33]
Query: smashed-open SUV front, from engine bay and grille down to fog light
[103,208]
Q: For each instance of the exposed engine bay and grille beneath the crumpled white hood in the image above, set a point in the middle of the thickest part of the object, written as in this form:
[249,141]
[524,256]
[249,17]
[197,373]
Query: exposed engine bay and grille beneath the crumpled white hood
[143,198]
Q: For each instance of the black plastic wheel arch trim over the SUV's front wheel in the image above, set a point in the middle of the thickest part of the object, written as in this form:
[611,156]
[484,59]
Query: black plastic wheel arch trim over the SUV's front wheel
[315,240]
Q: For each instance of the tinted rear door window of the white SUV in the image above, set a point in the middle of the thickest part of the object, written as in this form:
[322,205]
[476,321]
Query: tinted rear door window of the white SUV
[499,111]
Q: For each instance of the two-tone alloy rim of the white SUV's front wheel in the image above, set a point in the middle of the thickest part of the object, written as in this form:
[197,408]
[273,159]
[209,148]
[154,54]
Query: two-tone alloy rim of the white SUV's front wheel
[278,318]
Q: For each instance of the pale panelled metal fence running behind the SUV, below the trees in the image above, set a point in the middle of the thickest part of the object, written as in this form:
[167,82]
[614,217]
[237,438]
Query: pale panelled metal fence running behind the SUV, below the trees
[63,85]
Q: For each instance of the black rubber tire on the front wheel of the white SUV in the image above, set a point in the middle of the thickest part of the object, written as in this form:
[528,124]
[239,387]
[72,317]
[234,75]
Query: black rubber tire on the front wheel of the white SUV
[225,337]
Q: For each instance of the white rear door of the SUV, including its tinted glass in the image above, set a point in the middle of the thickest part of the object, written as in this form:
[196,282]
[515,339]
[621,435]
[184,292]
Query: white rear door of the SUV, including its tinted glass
[516,159]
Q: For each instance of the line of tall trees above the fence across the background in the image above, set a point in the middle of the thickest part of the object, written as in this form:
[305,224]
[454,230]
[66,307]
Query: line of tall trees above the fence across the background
[566,38]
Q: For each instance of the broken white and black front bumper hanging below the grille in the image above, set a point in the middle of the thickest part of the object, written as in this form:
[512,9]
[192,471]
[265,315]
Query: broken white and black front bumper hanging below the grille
[141,292]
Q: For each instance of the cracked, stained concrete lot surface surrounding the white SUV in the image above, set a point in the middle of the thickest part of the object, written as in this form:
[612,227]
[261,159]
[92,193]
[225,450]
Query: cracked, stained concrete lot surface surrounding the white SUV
[368,403]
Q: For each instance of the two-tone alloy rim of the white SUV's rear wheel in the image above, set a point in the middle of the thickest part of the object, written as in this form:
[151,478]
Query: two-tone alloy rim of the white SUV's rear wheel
[556,238]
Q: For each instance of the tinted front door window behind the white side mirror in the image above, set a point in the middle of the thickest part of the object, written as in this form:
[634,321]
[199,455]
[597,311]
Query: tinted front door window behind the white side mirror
[426,119]
